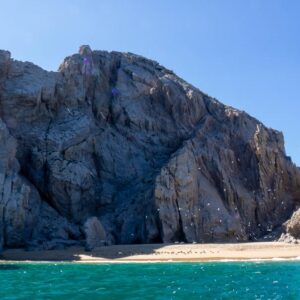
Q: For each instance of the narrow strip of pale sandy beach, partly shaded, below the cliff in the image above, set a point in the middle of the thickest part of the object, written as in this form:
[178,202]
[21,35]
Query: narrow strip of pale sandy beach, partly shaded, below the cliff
[159,252]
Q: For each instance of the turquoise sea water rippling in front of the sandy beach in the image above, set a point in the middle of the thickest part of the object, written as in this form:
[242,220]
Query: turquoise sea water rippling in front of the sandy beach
[223,280]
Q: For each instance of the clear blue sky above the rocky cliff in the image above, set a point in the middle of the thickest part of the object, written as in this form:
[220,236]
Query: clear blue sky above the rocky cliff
[244,53]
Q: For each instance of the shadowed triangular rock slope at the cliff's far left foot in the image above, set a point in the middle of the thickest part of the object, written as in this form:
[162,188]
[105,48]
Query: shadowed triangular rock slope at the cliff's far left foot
[25,218]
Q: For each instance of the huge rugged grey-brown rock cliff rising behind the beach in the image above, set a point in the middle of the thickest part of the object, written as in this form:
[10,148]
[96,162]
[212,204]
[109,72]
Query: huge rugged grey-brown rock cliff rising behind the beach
[118,137]
